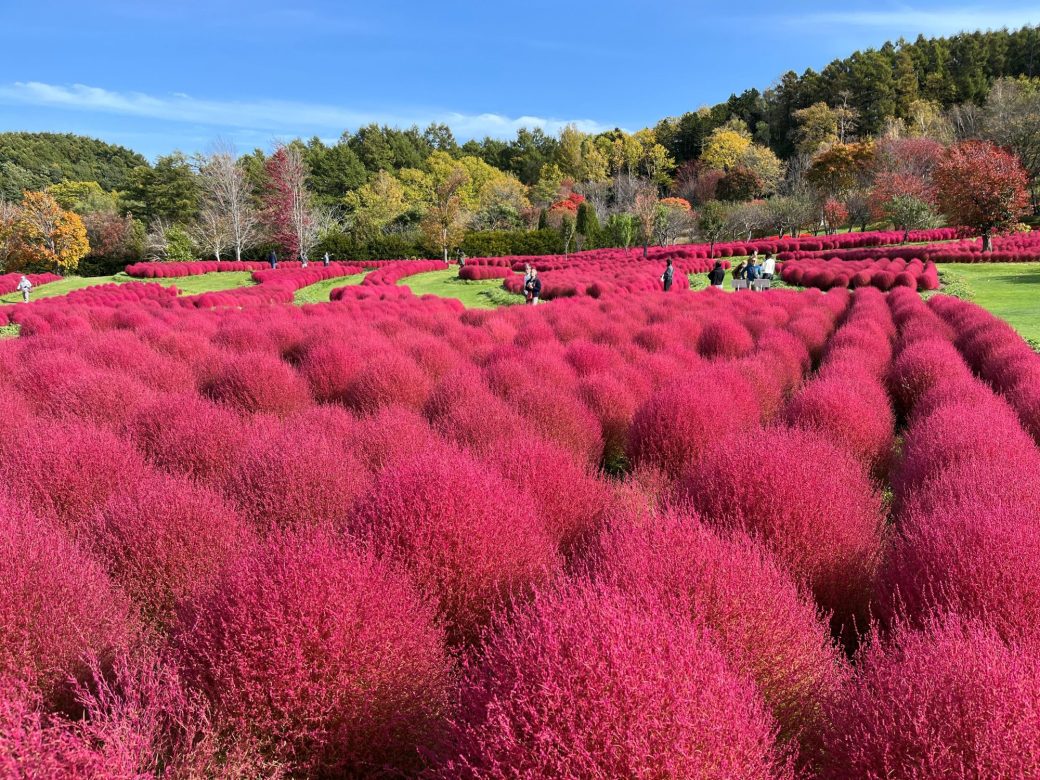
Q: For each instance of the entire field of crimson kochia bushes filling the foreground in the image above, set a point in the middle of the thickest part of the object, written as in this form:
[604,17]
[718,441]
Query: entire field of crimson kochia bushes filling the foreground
[625,534]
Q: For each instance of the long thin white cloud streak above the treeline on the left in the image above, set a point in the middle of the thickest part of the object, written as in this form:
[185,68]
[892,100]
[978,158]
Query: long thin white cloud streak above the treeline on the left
[269,116]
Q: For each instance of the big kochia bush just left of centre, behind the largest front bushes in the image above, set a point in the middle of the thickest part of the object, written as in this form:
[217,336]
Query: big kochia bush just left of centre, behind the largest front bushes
[470,538]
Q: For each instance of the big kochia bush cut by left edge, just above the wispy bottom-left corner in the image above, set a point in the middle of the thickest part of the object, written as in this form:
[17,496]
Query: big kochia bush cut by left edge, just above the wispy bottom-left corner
[57,605]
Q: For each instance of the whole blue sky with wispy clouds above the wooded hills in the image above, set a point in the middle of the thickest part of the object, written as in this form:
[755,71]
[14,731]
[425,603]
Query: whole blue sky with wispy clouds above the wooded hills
[159,75]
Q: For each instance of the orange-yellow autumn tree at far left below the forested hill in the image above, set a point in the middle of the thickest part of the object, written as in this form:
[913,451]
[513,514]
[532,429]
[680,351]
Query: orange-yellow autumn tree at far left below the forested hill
[46,238]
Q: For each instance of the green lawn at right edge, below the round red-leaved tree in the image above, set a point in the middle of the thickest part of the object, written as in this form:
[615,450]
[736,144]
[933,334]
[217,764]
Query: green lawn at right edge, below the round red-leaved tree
[1009,291]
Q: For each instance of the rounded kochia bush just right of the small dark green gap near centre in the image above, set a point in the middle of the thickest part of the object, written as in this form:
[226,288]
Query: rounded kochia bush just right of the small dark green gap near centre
[677,424]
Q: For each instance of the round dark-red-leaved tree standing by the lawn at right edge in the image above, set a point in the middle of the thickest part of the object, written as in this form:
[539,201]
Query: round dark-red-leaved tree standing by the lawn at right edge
[982,187]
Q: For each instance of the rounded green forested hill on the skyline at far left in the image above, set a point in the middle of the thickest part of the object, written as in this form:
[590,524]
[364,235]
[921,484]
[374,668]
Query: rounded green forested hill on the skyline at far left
[34,161]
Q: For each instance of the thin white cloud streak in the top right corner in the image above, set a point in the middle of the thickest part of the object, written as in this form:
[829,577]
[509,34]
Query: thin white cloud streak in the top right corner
[931,22]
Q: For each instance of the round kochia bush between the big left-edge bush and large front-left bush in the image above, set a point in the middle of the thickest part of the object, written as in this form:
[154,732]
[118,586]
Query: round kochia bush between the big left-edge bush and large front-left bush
[165,540]
